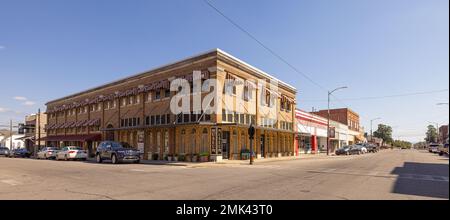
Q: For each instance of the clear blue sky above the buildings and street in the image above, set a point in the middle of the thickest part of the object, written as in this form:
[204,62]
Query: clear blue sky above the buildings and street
[52,48]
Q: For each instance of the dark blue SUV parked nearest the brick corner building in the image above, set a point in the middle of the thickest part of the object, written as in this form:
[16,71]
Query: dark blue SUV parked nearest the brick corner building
[117,152]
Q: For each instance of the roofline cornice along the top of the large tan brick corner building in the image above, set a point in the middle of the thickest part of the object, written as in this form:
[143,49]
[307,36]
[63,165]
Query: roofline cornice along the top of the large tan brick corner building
[217,50]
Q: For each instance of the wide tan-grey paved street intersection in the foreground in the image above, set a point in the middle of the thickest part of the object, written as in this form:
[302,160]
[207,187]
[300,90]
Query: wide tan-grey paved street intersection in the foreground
[390,174]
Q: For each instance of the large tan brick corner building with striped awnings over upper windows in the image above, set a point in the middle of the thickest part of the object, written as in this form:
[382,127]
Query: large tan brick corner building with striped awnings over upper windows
[137,110]
